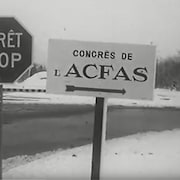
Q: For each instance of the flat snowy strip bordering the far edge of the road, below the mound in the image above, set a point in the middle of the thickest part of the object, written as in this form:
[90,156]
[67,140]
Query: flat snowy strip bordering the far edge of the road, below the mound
[162,98]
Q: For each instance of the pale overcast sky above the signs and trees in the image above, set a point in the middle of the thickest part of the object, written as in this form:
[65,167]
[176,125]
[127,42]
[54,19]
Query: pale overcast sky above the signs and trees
[123,21]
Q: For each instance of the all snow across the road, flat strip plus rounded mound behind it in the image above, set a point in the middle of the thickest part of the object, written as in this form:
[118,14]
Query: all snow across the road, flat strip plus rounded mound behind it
[162,97]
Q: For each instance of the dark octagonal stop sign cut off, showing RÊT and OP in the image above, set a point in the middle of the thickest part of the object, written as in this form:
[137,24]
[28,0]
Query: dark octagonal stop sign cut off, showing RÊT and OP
[15,49]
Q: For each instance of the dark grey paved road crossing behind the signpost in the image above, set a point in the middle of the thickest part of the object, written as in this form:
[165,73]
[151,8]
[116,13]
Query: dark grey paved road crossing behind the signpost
[31,129]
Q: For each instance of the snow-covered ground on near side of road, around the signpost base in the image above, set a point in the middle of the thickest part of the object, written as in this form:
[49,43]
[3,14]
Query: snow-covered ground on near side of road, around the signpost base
[151,155]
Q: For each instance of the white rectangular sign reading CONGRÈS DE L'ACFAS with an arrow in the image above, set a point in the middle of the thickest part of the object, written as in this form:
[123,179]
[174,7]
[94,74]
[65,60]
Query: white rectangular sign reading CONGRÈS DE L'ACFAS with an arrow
[101,69]
